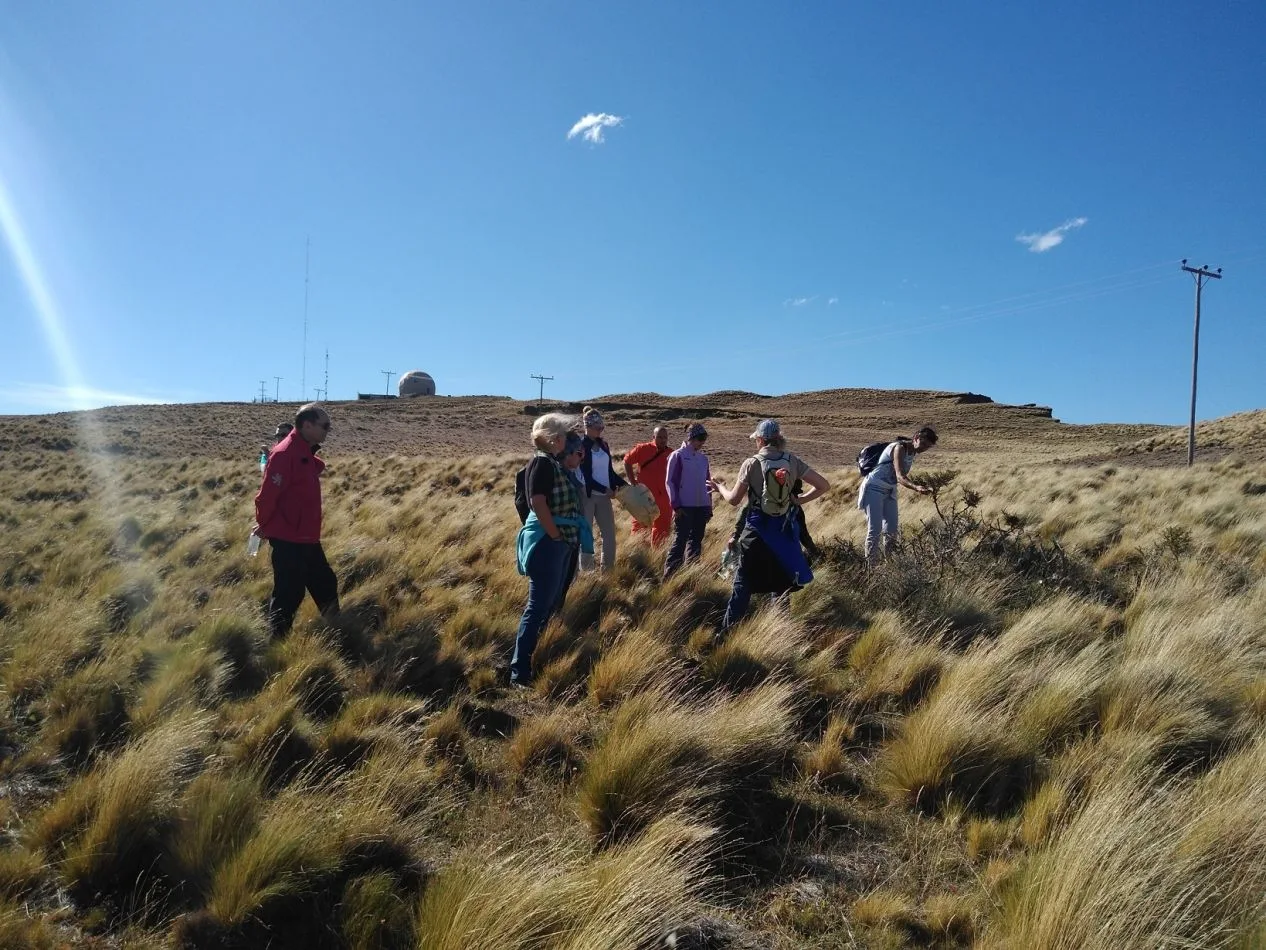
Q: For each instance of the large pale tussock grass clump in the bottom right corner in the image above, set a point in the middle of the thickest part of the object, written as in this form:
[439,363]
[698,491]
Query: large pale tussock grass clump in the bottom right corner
[1183,857]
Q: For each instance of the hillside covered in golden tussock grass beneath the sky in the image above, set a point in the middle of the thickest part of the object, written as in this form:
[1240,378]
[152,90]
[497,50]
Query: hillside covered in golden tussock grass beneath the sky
[1041,725]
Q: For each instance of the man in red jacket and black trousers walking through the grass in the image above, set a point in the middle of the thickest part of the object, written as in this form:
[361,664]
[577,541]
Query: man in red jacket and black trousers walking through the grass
[288,514]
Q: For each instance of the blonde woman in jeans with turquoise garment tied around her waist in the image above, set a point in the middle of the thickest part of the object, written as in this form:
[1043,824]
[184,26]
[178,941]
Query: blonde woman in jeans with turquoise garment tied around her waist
[549,539]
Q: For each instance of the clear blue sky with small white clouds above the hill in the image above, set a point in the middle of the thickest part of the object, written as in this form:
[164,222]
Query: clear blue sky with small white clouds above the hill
[960,197]
